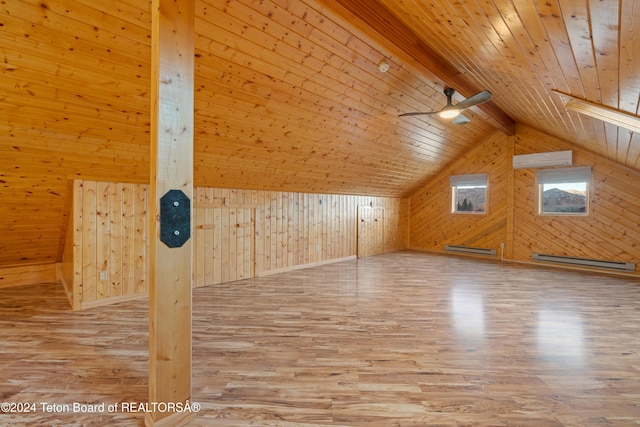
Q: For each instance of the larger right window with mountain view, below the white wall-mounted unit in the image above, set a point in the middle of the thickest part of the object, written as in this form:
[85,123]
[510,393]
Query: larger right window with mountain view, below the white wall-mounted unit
[564,191]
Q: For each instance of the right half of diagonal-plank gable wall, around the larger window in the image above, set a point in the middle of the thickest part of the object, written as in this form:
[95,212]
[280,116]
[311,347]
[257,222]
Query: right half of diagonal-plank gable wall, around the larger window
[609,232]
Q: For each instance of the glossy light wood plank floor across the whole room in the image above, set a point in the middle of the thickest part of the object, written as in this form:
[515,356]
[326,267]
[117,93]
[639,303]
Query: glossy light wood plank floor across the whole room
[402,339]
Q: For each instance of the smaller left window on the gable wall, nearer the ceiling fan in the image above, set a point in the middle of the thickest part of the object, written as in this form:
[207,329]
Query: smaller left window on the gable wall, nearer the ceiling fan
[469,193]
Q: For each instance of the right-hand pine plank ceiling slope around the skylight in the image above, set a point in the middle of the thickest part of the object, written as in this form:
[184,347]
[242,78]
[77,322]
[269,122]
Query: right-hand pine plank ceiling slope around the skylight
[524,51]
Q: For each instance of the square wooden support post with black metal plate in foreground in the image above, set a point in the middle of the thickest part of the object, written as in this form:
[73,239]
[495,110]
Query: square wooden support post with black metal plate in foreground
[170,268]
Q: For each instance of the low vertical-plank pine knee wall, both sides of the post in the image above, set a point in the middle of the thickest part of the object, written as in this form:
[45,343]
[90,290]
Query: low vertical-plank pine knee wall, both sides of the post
[237,234]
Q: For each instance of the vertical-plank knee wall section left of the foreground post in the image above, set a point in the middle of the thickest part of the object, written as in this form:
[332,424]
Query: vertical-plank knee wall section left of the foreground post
[107,260]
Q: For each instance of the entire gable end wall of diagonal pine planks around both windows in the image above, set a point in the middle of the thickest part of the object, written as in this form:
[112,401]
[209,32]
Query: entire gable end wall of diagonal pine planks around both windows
[609,232]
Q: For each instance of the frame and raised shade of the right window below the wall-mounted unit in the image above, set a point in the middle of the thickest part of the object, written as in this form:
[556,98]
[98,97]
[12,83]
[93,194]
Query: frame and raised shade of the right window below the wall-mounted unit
[573,175]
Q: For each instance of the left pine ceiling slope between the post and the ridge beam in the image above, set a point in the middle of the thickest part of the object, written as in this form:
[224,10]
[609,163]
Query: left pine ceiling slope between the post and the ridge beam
[289,97]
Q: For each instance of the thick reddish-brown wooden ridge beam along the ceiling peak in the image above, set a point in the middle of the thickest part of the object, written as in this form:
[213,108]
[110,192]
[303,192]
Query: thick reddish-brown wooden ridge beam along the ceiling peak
[376,22]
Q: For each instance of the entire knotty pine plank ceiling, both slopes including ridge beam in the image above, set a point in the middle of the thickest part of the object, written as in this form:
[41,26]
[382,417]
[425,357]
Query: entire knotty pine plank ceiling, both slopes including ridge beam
[288,94]
